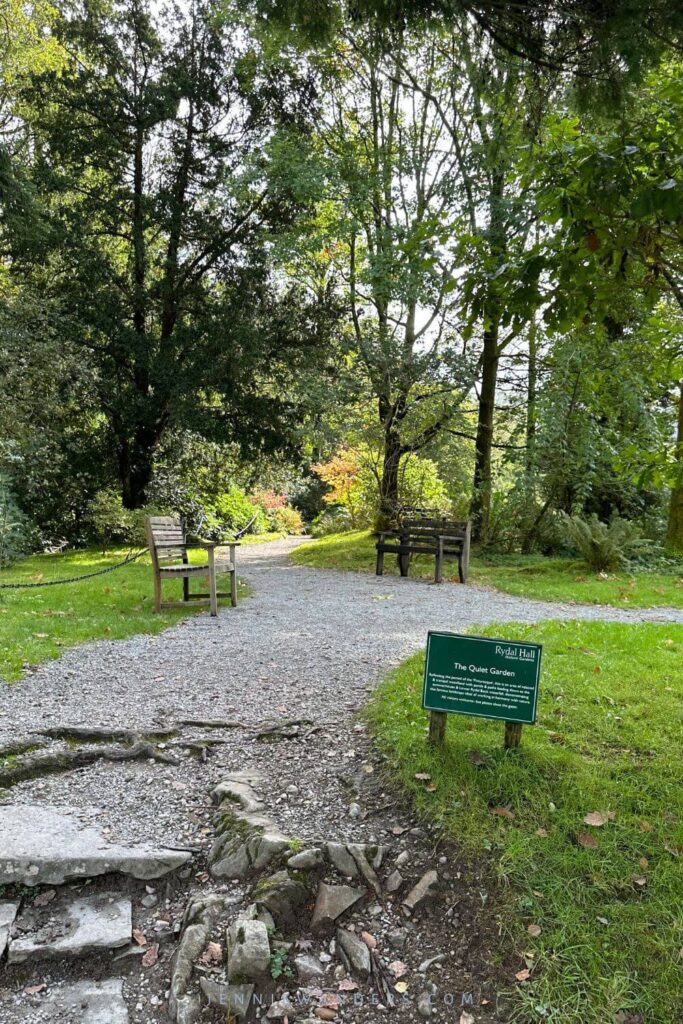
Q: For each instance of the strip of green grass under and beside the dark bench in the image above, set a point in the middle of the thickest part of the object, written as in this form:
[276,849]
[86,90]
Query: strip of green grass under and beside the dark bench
[529,576]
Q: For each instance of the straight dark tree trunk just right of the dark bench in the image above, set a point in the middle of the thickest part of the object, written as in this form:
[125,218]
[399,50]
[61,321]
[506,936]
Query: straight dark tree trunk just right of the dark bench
[481,506]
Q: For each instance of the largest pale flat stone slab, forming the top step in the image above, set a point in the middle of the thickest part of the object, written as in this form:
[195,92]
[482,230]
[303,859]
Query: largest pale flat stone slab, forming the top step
[50,845]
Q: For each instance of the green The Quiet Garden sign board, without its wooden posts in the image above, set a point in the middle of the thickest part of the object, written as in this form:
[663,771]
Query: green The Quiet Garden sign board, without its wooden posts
[479,676]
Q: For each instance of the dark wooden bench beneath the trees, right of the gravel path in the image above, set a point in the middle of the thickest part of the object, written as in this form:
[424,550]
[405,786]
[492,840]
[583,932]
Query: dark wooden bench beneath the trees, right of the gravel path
[439,536]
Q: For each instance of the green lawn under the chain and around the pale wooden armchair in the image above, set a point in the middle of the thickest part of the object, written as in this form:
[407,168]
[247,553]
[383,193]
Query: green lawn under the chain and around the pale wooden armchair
[37,625]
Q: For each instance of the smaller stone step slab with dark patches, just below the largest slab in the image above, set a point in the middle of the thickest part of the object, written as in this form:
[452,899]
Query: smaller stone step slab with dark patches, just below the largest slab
[72,928]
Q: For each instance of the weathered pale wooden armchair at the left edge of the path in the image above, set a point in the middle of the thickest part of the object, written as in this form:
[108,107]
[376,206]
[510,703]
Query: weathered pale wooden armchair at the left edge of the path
[167,542]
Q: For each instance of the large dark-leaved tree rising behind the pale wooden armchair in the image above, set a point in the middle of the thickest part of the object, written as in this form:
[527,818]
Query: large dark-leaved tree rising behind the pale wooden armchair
[152,156]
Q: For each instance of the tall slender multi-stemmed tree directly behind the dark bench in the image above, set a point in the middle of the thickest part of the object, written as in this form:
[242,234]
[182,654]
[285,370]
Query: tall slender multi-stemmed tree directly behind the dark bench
[392,173]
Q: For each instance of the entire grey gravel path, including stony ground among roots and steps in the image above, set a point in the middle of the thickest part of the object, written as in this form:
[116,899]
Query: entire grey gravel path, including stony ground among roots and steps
[309,645]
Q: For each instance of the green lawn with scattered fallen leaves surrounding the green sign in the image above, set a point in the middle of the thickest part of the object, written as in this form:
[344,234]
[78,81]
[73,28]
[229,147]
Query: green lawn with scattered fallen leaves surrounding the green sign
[608,740]
